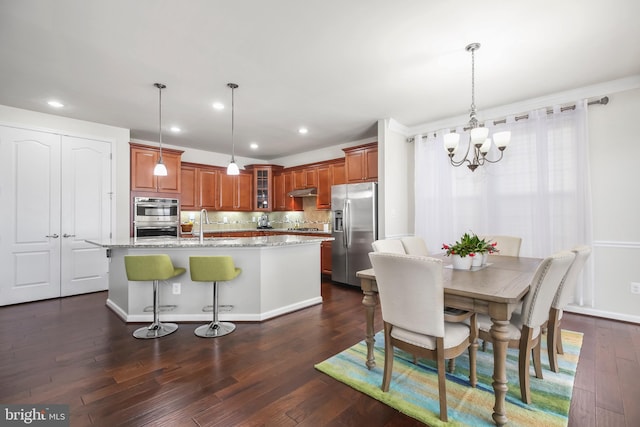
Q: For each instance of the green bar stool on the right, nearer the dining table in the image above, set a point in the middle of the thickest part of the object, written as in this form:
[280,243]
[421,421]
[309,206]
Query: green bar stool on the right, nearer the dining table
[213,269]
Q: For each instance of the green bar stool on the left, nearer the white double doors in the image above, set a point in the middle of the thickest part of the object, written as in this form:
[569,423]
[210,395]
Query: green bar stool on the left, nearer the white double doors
[142,268]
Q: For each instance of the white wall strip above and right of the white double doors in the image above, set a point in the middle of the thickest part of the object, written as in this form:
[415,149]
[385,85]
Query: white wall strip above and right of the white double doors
[119,138]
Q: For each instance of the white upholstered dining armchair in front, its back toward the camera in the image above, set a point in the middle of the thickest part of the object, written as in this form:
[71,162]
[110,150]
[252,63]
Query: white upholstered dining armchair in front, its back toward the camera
[411,296]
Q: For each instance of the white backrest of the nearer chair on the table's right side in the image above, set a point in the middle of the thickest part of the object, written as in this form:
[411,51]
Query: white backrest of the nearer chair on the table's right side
[545,284]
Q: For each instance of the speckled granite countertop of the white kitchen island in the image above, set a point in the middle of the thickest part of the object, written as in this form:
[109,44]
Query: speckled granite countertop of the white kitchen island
[262,241]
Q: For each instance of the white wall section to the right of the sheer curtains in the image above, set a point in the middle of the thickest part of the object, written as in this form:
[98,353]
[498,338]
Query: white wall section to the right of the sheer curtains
[614,152]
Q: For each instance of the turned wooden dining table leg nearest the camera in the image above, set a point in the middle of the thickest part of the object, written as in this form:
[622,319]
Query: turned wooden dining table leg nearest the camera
[500,338]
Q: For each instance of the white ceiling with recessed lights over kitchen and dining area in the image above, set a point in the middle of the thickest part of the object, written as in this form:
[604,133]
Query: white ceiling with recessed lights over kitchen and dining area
[333,66]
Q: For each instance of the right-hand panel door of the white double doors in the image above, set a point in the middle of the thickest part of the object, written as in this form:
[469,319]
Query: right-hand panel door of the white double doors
[86,214]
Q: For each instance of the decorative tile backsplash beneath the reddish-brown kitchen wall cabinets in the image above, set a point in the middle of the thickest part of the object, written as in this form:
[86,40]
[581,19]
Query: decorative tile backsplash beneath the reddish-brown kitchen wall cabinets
[310,217]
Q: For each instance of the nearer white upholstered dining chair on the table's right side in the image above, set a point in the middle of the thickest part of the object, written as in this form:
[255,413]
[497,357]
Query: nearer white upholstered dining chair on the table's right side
[524,329]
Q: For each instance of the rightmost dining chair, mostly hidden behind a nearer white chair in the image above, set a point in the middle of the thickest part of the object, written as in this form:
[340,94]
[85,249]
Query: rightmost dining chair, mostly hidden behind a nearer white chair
[563,297]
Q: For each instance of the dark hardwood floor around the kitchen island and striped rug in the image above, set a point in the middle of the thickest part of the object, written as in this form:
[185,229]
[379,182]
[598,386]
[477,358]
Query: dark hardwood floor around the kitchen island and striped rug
[76,351]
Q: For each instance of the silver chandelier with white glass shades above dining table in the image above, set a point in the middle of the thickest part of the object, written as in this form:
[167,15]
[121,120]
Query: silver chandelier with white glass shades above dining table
[479,143]
